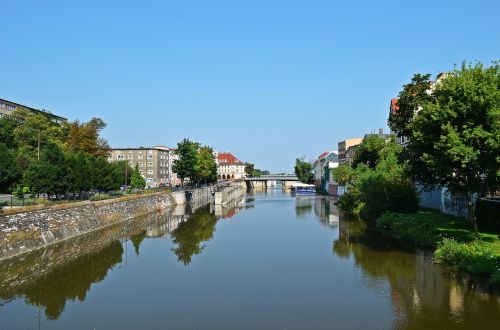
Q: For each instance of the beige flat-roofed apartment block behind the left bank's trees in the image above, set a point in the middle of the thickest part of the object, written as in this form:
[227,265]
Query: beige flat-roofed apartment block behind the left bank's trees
[153,163]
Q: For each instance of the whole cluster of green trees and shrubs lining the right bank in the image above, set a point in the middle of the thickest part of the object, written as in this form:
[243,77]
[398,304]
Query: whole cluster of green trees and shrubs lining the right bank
[452,127]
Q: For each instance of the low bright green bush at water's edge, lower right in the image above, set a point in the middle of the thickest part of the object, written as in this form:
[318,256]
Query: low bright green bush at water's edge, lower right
[476,257]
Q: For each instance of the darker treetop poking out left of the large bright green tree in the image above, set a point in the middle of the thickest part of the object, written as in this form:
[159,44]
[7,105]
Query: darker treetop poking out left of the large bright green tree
[411,99]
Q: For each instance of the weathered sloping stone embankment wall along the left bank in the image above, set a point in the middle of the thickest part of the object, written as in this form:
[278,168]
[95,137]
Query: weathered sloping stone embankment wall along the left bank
[23,232]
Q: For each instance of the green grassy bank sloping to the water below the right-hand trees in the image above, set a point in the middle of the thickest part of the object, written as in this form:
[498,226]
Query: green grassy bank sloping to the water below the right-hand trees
[452,239]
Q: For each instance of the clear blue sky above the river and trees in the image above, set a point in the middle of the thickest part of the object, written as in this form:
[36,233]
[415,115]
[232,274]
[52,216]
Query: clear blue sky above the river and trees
[267,80]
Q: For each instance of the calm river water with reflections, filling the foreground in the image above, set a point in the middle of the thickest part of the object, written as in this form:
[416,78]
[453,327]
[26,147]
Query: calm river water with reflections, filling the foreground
[270,261]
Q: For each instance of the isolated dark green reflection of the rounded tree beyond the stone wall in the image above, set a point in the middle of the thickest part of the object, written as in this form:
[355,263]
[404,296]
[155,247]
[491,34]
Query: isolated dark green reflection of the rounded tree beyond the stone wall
[189,235]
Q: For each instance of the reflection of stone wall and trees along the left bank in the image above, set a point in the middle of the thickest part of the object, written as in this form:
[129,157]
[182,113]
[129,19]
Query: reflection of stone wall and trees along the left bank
[48,278]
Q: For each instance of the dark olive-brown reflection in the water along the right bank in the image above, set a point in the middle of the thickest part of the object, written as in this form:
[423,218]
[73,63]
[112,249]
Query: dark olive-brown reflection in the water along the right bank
[423,294]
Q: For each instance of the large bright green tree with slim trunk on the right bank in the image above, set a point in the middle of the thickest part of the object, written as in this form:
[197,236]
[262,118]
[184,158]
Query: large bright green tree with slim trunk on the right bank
[455,138]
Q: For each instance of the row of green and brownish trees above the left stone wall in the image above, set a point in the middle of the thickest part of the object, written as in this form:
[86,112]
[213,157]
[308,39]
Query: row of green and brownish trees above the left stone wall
[39,156]
